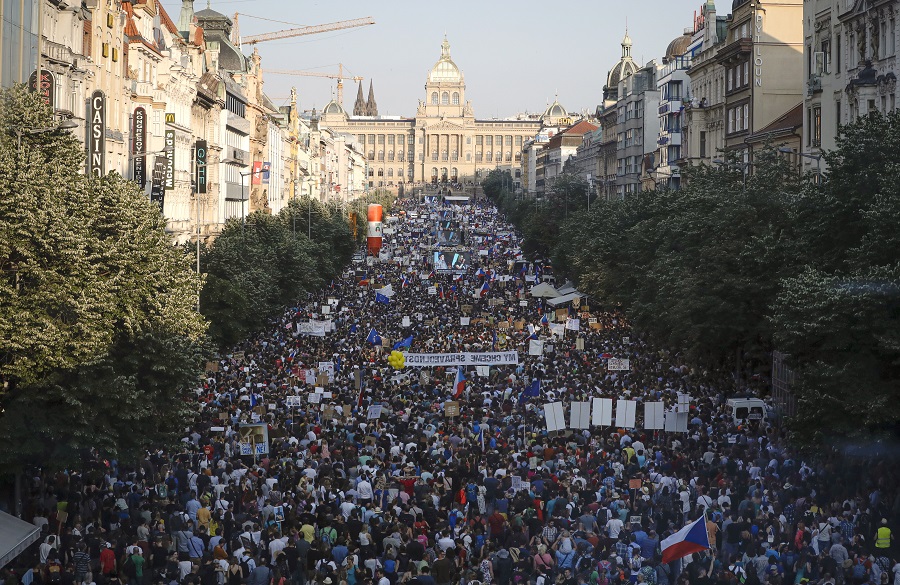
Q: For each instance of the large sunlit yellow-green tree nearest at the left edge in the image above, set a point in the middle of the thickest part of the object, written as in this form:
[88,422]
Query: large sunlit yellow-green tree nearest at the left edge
[97,308]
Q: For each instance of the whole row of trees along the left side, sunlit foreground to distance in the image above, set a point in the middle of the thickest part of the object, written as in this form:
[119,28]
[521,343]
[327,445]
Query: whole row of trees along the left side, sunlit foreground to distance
[100,337]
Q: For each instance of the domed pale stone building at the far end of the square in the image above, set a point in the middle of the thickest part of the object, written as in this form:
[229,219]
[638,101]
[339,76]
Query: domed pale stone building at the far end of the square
[443,142]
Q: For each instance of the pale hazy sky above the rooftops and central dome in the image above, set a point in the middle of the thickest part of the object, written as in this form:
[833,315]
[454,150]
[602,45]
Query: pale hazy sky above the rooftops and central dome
[516,55]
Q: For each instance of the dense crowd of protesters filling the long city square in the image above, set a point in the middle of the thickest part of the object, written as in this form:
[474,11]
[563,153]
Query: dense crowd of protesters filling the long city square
[485,496]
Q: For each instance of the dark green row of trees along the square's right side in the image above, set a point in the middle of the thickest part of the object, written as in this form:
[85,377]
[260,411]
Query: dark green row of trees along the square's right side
[737,264]
